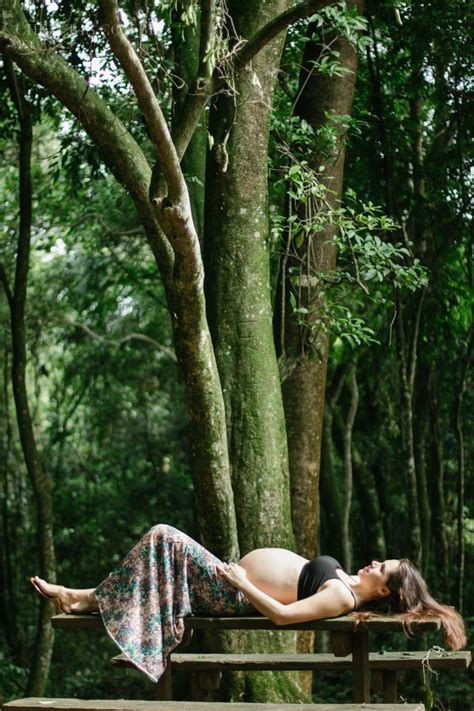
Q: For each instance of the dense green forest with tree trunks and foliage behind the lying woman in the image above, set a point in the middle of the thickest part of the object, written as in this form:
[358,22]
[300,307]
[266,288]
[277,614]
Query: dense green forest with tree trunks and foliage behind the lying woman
[236,297]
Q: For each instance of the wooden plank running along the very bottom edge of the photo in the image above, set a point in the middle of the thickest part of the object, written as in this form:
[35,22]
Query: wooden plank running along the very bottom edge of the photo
[34,704]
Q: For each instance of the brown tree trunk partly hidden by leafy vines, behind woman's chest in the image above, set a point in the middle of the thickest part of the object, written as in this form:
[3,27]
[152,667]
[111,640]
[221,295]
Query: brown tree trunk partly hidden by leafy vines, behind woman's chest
[304,379]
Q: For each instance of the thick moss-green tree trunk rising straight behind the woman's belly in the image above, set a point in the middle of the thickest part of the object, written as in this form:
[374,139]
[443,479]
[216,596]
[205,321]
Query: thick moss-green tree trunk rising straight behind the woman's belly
[238,293]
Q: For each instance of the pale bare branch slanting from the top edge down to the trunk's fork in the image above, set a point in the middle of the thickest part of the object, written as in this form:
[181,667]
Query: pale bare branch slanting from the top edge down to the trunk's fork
[159,131]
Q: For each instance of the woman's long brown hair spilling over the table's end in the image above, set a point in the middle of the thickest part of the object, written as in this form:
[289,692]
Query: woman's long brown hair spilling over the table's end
[411,599]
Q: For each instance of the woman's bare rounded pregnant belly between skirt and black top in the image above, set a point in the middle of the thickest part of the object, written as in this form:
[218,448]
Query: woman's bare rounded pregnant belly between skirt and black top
[275,571]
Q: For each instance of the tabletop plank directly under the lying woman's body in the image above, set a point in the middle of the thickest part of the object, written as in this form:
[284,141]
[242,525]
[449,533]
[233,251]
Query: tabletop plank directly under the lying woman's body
[337,624]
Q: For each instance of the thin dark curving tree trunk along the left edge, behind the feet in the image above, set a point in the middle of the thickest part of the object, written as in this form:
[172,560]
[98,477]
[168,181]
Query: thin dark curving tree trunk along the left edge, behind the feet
[40,480]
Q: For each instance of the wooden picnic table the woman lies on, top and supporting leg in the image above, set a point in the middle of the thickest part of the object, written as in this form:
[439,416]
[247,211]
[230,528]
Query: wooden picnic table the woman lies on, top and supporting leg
[348,635]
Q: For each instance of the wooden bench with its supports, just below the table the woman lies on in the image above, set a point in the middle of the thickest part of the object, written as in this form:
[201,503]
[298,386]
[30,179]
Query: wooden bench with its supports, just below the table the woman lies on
[383,666]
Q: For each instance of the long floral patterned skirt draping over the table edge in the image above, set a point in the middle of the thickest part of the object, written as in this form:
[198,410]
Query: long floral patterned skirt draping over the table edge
[165,577]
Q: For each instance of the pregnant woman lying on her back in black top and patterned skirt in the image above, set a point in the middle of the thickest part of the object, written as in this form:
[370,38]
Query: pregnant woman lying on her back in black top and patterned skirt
[168,576]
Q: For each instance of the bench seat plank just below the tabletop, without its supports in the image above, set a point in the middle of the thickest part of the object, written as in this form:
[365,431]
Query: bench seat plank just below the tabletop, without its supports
[308,662]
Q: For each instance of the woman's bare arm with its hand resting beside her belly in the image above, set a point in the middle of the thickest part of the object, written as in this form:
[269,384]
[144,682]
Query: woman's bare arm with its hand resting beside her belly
[330,602]
